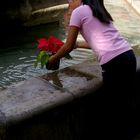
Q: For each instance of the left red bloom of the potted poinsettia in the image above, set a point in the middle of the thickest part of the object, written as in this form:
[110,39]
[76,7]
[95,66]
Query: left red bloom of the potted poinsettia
[43,44]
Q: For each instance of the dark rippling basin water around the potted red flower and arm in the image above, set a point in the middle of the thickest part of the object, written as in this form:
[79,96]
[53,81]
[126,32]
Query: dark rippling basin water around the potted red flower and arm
[17,61]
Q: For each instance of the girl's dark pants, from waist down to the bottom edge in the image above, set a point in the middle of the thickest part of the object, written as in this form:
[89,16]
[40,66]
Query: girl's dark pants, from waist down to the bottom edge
[118,95]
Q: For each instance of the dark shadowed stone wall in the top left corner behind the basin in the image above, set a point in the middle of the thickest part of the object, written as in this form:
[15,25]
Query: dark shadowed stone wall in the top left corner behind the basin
[21,10]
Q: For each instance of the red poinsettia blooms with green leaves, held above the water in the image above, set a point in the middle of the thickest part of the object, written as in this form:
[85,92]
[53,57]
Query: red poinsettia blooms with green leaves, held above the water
[46,49]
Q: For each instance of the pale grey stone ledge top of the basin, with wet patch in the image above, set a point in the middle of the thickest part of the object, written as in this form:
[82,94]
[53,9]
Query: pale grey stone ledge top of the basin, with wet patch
[36,95]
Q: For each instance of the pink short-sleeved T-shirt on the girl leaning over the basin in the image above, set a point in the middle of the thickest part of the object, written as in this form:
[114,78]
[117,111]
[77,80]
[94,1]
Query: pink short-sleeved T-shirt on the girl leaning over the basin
[104,39]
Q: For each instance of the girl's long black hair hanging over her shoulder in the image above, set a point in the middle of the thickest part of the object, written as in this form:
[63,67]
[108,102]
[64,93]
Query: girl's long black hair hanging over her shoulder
[99,10]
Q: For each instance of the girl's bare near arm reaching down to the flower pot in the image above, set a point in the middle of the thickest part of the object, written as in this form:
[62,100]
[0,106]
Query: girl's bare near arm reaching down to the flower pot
[66,48]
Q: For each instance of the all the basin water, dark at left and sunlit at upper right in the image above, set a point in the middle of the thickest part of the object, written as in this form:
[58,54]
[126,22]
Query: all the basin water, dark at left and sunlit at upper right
[17,64]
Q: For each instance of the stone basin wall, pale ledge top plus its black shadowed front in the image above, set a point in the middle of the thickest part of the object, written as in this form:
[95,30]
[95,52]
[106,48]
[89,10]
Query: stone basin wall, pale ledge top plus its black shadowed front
[47,107]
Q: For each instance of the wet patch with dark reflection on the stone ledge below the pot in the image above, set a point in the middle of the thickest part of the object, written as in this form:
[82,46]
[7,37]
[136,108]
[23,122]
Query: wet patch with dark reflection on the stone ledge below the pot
[63,77]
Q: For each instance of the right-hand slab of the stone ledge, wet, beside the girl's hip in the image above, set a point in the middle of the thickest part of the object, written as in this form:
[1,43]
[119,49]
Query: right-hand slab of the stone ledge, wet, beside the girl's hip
[77,79]
